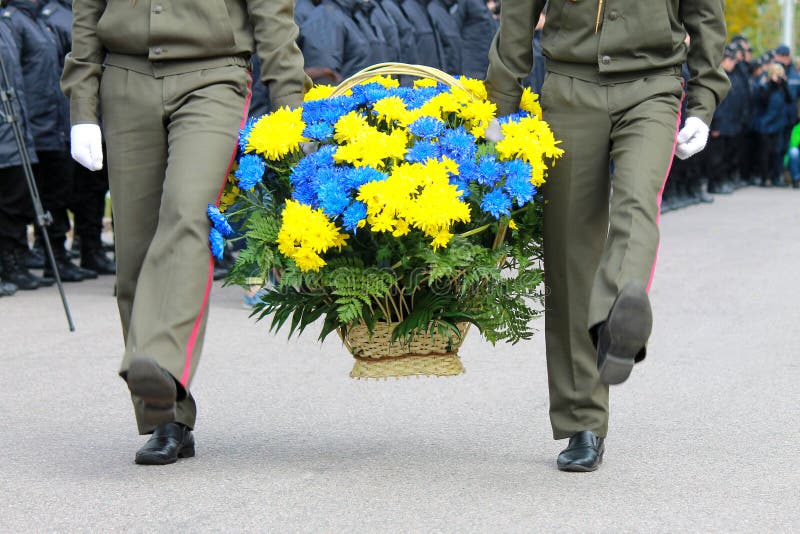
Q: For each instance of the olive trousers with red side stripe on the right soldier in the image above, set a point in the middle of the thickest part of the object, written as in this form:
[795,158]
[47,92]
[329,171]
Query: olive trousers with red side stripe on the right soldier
[602,203]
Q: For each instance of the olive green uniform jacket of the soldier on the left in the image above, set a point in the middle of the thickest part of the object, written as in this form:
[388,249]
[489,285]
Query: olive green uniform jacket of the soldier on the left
[177,36]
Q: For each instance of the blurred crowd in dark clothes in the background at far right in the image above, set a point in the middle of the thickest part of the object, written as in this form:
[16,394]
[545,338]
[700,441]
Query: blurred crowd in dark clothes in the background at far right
[754,136]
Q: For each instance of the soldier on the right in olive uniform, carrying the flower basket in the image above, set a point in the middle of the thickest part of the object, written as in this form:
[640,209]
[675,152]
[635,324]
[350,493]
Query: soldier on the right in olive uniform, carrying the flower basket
[613,96]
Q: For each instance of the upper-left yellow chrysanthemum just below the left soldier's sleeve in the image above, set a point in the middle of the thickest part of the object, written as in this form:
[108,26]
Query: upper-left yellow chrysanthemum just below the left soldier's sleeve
[277,134]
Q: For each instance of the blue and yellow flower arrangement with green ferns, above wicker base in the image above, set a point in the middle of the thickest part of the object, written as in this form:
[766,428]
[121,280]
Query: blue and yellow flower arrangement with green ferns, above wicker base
[375,204]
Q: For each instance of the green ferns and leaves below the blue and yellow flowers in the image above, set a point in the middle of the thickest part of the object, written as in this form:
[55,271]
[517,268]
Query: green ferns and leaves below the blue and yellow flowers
[493,284]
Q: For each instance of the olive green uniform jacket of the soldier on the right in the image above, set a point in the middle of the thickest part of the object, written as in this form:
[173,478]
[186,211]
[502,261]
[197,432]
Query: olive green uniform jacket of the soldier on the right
[610,41]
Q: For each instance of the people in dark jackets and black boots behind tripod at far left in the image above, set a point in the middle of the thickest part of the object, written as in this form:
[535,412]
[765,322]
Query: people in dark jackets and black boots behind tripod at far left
[34,38]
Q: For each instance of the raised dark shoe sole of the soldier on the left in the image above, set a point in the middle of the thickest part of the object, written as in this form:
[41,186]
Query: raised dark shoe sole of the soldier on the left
[148,381]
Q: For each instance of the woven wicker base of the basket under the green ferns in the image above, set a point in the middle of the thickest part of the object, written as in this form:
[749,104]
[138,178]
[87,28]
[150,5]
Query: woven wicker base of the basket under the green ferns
[376,357]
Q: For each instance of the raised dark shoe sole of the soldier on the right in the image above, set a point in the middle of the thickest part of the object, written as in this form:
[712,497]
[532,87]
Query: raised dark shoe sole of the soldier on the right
[626,332]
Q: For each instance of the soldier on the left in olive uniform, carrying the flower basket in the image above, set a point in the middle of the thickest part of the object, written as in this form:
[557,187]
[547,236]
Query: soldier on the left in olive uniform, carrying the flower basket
[169,81]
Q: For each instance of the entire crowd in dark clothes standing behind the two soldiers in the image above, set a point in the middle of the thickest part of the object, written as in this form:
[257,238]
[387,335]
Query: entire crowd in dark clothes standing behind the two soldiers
[754,137]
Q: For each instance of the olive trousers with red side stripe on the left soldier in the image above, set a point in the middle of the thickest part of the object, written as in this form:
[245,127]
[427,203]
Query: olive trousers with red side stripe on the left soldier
[171,141]
